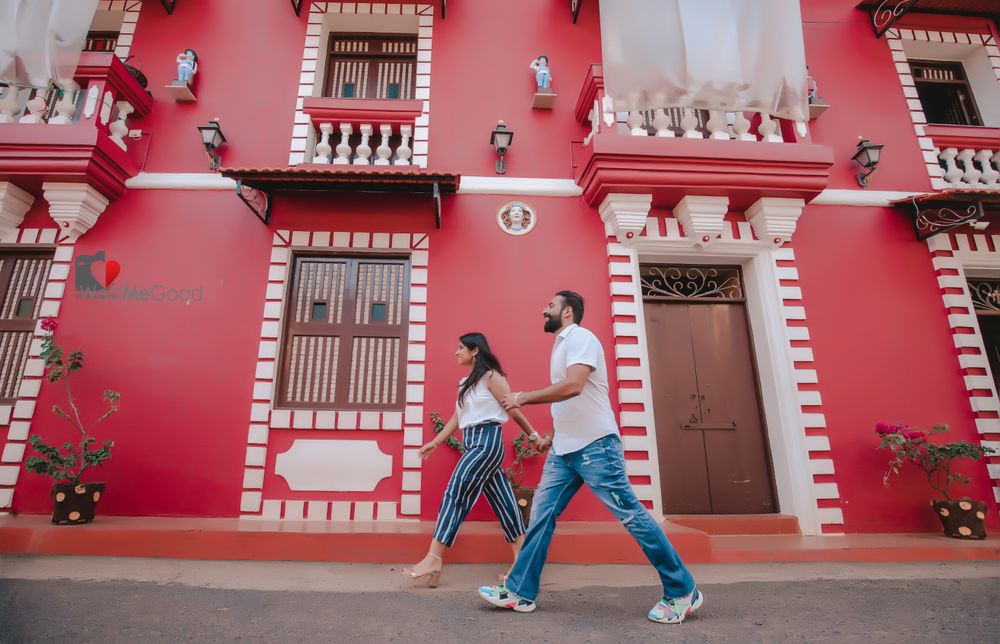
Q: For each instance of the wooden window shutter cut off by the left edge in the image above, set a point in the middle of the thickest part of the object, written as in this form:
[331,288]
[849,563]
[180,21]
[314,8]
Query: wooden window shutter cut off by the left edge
[23,276]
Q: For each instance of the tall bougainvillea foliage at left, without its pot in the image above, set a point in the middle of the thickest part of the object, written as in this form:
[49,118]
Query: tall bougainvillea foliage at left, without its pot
[68,463]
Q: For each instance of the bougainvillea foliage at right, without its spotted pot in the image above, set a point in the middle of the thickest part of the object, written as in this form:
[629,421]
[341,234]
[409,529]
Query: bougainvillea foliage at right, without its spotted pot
[911,445]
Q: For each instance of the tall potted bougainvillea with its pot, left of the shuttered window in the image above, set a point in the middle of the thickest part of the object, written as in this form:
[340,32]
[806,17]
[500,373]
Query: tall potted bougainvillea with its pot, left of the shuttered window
[73,501]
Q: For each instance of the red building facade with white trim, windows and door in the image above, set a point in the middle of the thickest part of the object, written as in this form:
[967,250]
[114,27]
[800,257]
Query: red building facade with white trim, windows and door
[281,330]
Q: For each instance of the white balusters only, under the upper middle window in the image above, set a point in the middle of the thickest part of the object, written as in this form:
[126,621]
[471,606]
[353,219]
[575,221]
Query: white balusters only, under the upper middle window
[361,153]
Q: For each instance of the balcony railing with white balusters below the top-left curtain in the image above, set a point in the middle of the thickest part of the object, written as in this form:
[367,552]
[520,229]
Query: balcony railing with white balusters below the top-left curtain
[103,94]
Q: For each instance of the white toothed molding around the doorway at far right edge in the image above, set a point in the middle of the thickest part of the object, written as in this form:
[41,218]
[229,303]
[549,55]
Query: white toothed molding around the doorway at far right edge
[953,255]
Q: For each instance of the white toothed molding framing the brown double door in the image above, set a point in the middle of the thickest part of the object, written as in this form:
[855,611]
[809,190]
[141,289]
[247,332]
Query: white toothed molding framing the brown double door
[792,404]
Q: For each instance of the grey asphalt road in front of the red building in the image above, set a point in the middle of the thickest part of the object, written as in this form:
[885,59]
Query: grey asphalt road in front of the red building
[818,610]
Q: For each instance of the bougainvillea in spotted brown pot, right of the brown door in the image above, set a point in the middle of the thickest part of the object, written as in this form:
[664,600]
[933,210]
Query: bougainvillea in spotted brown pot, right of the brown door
[963,518]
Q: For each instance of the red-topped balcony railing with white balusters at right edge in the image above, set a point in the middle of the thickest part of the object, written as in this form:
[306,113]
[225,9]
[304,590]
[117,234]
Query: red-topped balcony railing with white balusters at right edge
[969,156]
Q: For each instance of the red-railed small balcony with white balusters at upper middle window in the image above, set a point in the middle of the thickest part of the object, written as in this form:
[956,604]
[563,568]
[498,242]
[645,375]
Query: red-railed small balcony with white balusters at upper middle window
[362,131]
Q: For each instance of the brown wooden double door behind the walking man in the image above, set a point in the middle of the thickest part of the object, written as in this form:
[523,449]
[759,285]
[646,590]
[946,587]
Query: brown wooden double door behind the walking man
[710,436]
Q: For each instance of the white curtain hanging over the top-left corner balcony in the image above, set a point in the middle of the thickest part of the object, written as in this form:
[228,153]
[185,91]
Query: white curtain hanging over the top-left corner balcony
[41,40]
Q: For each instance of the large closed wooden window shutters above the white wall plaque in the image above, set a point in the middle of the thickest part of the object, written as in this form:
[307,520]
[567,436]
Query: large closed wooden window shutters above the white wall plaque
[345,340]
